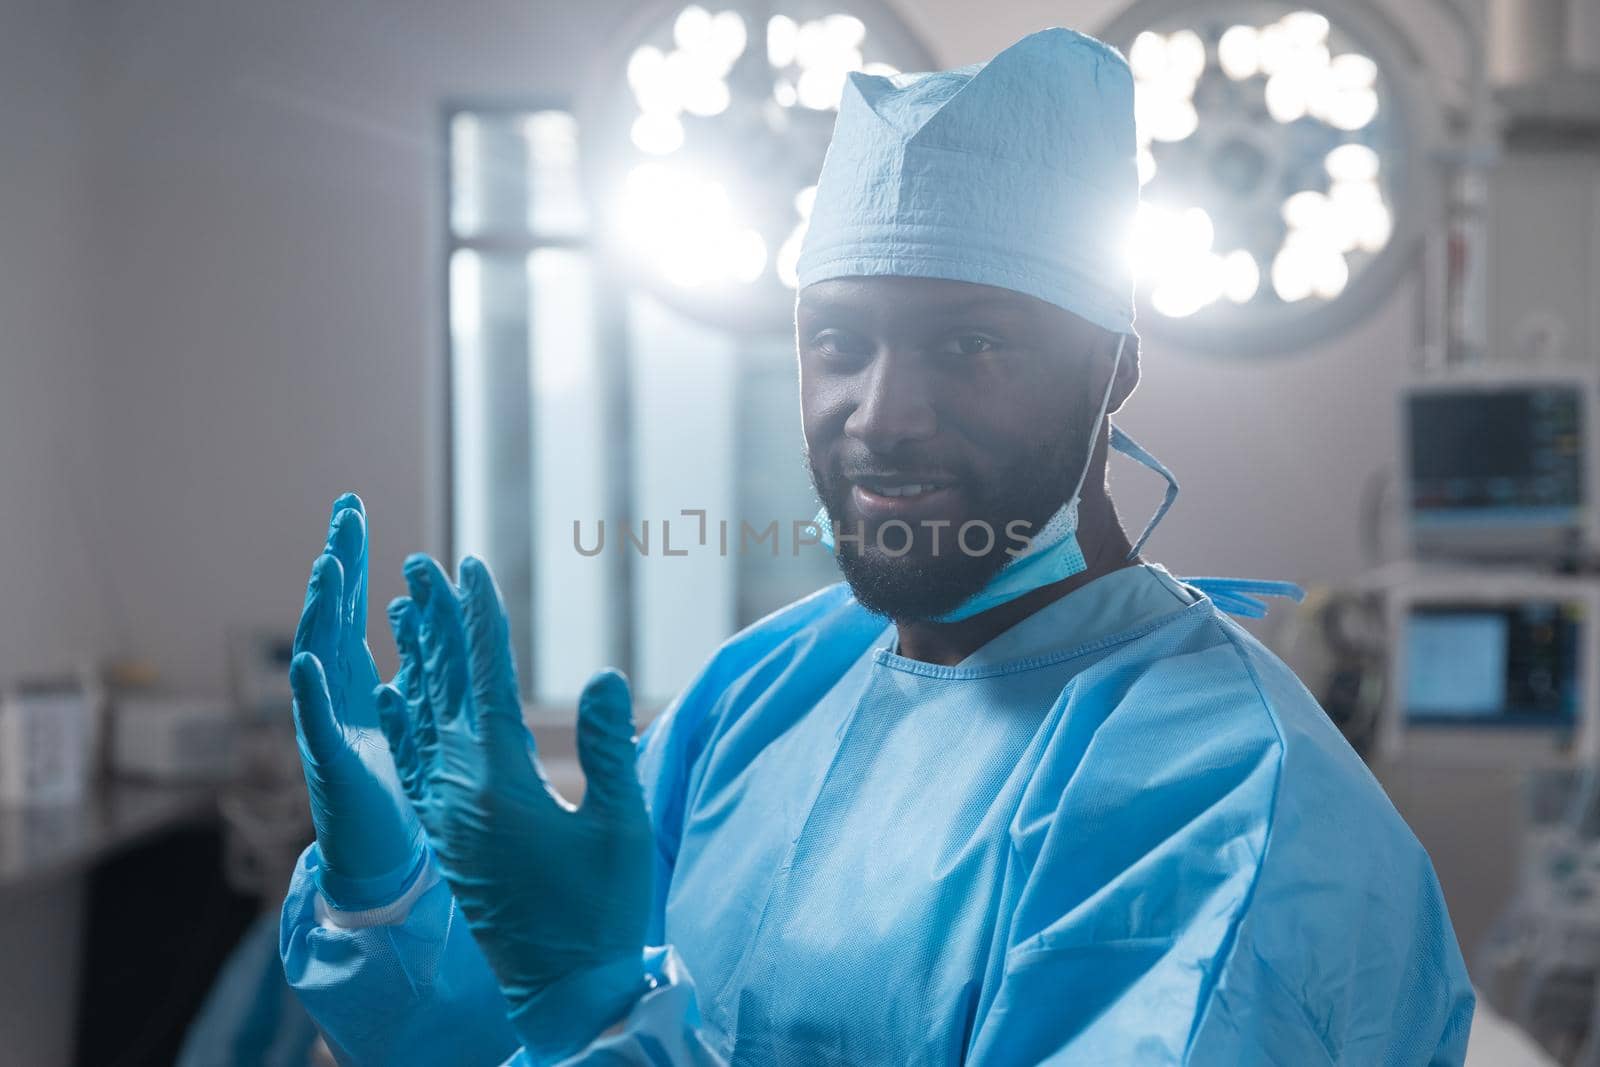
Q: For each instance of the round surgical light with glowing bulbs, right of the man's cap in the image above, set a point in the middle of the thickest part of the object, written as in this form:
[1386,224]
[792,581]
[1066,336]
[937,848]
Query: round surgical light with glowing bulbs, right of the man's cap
[1279,127]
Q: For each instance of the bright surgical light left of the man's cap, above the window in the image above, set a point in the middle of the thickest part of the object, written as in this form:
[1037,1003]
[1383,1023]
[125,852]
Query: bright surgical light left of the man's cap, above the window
[726,118]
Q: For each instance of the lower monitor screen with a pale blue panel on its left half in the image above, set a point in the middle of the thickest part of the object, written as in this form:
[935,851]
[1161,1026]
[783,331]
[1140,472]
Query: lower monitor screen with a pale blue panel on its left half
[1494,665]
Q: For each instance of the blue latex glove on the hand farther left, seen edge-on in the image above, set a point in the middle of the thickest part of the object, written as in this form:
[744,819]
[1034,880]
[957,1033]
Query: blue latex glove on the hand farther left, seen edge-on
[367,833]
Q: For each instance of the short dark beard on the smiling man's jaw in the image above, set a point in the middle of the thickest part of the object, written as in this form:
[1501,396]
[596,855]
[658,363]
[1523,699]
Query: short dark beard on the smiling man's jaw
[921,586]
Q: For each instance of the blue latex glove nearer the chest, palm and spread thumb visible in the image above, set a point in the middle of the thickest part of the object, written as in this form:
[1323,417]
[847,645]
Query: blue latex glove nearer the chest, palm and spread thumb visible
[558,897]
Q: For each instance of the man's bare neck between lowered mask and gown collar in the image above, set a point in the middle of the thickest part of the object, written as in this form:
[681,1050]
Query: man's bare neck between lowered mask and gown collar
[1106,549]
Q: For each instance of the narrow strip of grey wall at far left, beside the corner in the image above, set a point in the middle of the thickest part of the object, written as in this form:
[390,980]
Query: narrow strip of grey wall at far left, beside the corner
[49,436]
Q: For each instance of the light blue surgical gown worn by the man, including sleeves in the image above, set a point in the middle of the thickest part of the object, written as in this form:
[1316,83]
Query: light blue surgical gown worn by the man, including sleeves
[1122,833]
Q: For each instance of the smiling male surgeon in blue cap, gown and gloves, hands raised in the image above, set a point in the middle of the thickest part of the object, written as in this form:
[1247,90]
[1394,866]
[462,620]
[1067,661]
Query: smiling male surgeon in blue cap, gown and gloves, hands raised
[980,804]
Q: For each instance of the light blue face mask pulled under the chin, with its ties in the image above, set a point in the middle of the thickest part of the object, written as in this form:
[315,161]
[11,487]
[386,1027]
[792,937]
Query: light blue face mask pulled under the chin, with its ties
[1055,553]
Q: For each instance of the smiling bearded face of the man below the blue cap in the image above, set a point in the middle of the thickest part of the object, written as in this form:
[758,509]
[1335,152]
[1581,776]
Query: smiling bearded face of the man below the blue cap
[934,404]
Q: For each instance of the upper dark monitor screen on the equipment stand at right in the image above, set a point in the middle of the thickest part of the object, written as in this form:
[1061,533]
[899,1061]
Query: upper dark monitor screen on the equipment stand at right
[1502,457]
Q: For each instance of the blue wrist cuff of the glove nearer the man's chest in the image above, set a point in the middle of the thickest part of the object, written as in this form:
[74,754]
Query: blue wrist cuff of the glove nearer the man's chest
[569,1015]
